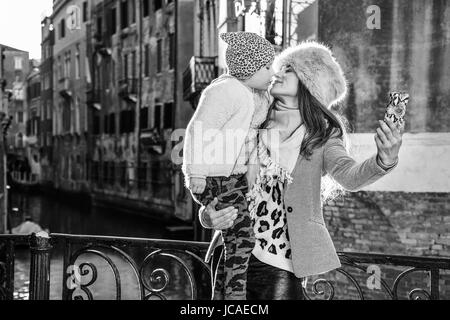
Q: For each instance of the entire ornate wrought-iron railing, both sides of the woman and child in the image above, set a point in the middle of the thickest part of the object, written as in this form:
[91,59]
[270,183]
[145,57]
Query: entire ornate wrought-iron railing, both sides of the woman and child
[95,267]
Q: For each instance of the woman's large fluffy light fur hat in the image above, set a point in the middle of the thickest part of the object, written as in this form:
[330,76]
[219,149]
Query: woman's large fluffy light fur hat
[317,69]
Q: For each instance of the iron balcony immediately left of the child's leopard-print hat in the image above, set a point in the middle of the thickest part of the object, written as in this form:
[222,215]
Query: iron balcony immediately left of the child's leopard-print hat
[198,75]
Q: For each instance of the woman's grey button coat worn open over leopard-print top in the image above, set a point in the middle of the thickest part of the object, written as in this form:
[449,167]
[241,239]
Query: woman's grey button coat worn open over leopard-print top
[312,249]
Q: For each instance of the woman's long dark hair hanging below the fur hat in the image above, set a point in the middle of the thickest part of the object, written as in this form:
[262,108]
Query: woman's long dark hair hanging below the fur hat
[321,124]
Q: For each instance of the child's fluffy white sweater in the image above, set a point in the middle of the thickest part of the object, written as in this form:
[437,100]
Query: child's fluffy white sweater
[217,132]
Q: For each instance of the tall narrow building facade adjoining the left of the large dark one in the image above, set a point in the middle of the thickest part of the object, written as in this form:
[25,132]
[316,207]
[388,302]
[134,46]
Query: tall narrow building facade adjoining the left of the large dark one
[70,113]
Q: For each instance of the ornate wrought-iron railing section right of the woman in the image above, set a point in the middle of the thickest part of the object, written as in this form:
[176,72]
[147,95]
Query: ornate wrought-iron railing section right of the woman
[378,276]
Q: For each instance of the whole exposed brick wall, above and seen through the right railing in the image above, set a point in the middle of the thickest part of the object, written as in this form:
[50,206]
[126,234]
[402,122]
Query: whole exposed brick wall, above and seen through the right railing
[396,223]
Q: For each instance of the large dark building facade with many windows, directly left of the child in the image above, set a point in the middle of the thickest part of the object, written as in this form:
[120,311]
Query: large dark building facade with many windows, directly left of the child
[135,52]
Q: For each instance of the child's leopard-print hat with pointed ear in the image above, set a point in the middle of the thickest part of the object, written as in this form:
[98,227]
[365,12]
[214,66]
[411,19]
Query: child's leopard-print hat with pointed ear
[247,53]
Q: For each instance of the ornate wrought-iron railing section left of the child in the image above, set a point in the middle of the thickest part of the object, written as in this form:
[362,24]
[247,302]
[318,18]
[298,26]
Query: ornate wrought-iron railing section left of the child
[133,268]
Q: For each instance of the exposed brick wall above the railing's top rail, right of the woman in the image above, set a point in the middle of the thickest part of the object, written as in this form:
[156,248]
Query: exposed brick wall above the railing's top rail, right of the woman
[391,222]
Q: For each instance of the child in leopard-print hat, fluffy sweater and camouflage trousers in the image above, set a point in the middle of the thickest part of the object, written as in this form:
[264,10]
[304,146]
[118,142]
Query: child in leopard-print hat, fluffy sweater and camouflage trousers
[230,112]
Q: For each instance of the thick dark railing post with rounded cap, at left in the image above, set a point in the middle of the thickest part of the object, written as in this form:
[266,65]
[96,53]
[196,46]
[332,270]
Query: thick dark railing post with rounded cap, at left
[40,249]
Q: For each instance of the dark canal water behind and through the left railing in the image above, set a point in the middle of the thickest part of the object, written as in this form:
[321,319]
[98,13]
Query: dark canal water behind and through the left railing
[61,214]
